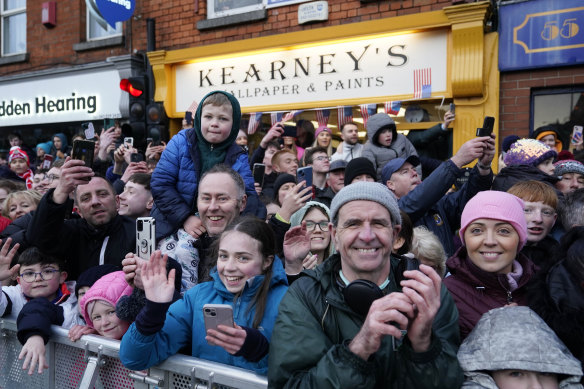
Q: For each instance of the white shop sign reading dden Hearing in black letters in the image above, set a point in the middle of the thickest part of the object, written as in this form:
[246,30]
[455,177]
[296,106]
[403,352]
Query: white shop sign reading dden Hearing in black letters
[75,97]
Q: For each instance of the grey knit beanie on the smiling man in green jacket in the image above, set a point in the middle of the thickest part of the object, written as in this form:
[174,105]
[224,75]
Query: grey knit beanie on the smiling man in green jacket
[370,191]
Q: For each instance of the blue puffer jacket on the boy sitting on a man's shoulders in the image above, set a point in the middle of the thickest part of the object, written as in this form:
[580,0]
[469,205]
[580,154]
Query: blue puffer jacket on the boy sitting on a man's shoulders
[176,177]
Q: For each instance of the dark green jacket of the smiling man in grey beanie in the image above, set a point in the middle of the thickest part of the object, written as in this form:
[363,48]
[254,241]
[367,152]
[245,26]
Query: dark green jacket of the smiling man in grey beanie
[309,347]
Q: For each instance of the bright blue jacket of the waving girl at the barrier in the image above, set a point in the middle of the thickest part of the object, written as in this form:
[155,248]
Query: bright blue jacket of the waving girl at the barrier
[184,323]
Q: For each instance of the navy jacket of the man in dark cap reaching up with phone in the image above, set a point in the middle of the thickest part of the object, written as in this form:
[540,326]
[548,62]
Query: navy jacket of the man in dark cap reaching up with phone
[429,205]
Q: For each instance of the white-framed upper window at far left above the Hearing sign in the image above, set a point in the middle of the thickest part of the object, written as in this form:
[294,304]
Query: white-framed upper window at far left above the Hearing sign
[13,27]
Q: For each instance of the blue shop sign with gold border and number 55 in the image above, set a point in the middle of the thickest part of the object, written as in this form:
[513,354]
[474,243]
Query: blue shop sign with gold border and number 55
[541,33]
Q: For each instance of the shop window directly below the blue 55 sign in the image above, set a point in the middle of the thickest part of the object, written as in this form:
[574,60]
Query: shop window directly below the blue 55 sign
[561,107]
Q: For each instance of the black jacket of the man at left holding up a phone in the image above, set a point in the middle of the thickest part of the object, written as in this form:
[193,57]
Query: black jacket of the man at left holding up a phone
[75,240]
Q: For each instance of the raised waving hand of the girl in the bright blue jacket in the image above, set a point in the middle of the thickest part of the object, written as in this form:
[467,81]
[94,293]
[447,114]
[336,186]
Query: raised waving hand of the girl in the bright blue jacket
[157,286]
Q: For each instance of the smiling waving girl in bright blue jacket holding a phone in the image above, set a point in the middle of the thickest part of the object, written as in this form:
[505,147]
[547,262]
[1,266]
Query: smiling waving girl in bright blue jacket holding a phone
[247,277]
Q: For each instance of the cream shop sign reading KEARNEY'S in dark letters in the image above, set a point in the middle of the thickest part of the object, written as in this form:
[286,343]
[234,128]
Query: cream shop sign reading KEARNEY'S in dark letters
[368,67]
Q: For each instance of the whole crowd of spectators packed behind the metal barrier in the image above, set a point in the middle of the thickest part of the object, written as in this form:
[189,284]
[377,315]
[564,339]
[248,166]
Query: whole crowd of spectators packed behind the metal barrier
[385,267]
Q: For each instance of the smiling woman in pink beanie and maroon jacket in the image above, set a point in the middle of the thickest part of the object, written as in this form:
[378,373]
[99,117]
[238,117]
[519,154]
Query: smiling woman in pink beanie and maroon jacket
[489,271]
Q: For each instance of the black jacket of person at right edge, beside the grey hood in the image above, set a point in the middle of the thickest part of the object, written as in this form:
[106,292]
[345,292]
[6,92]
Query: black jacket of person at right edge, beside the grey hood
[558,297]
